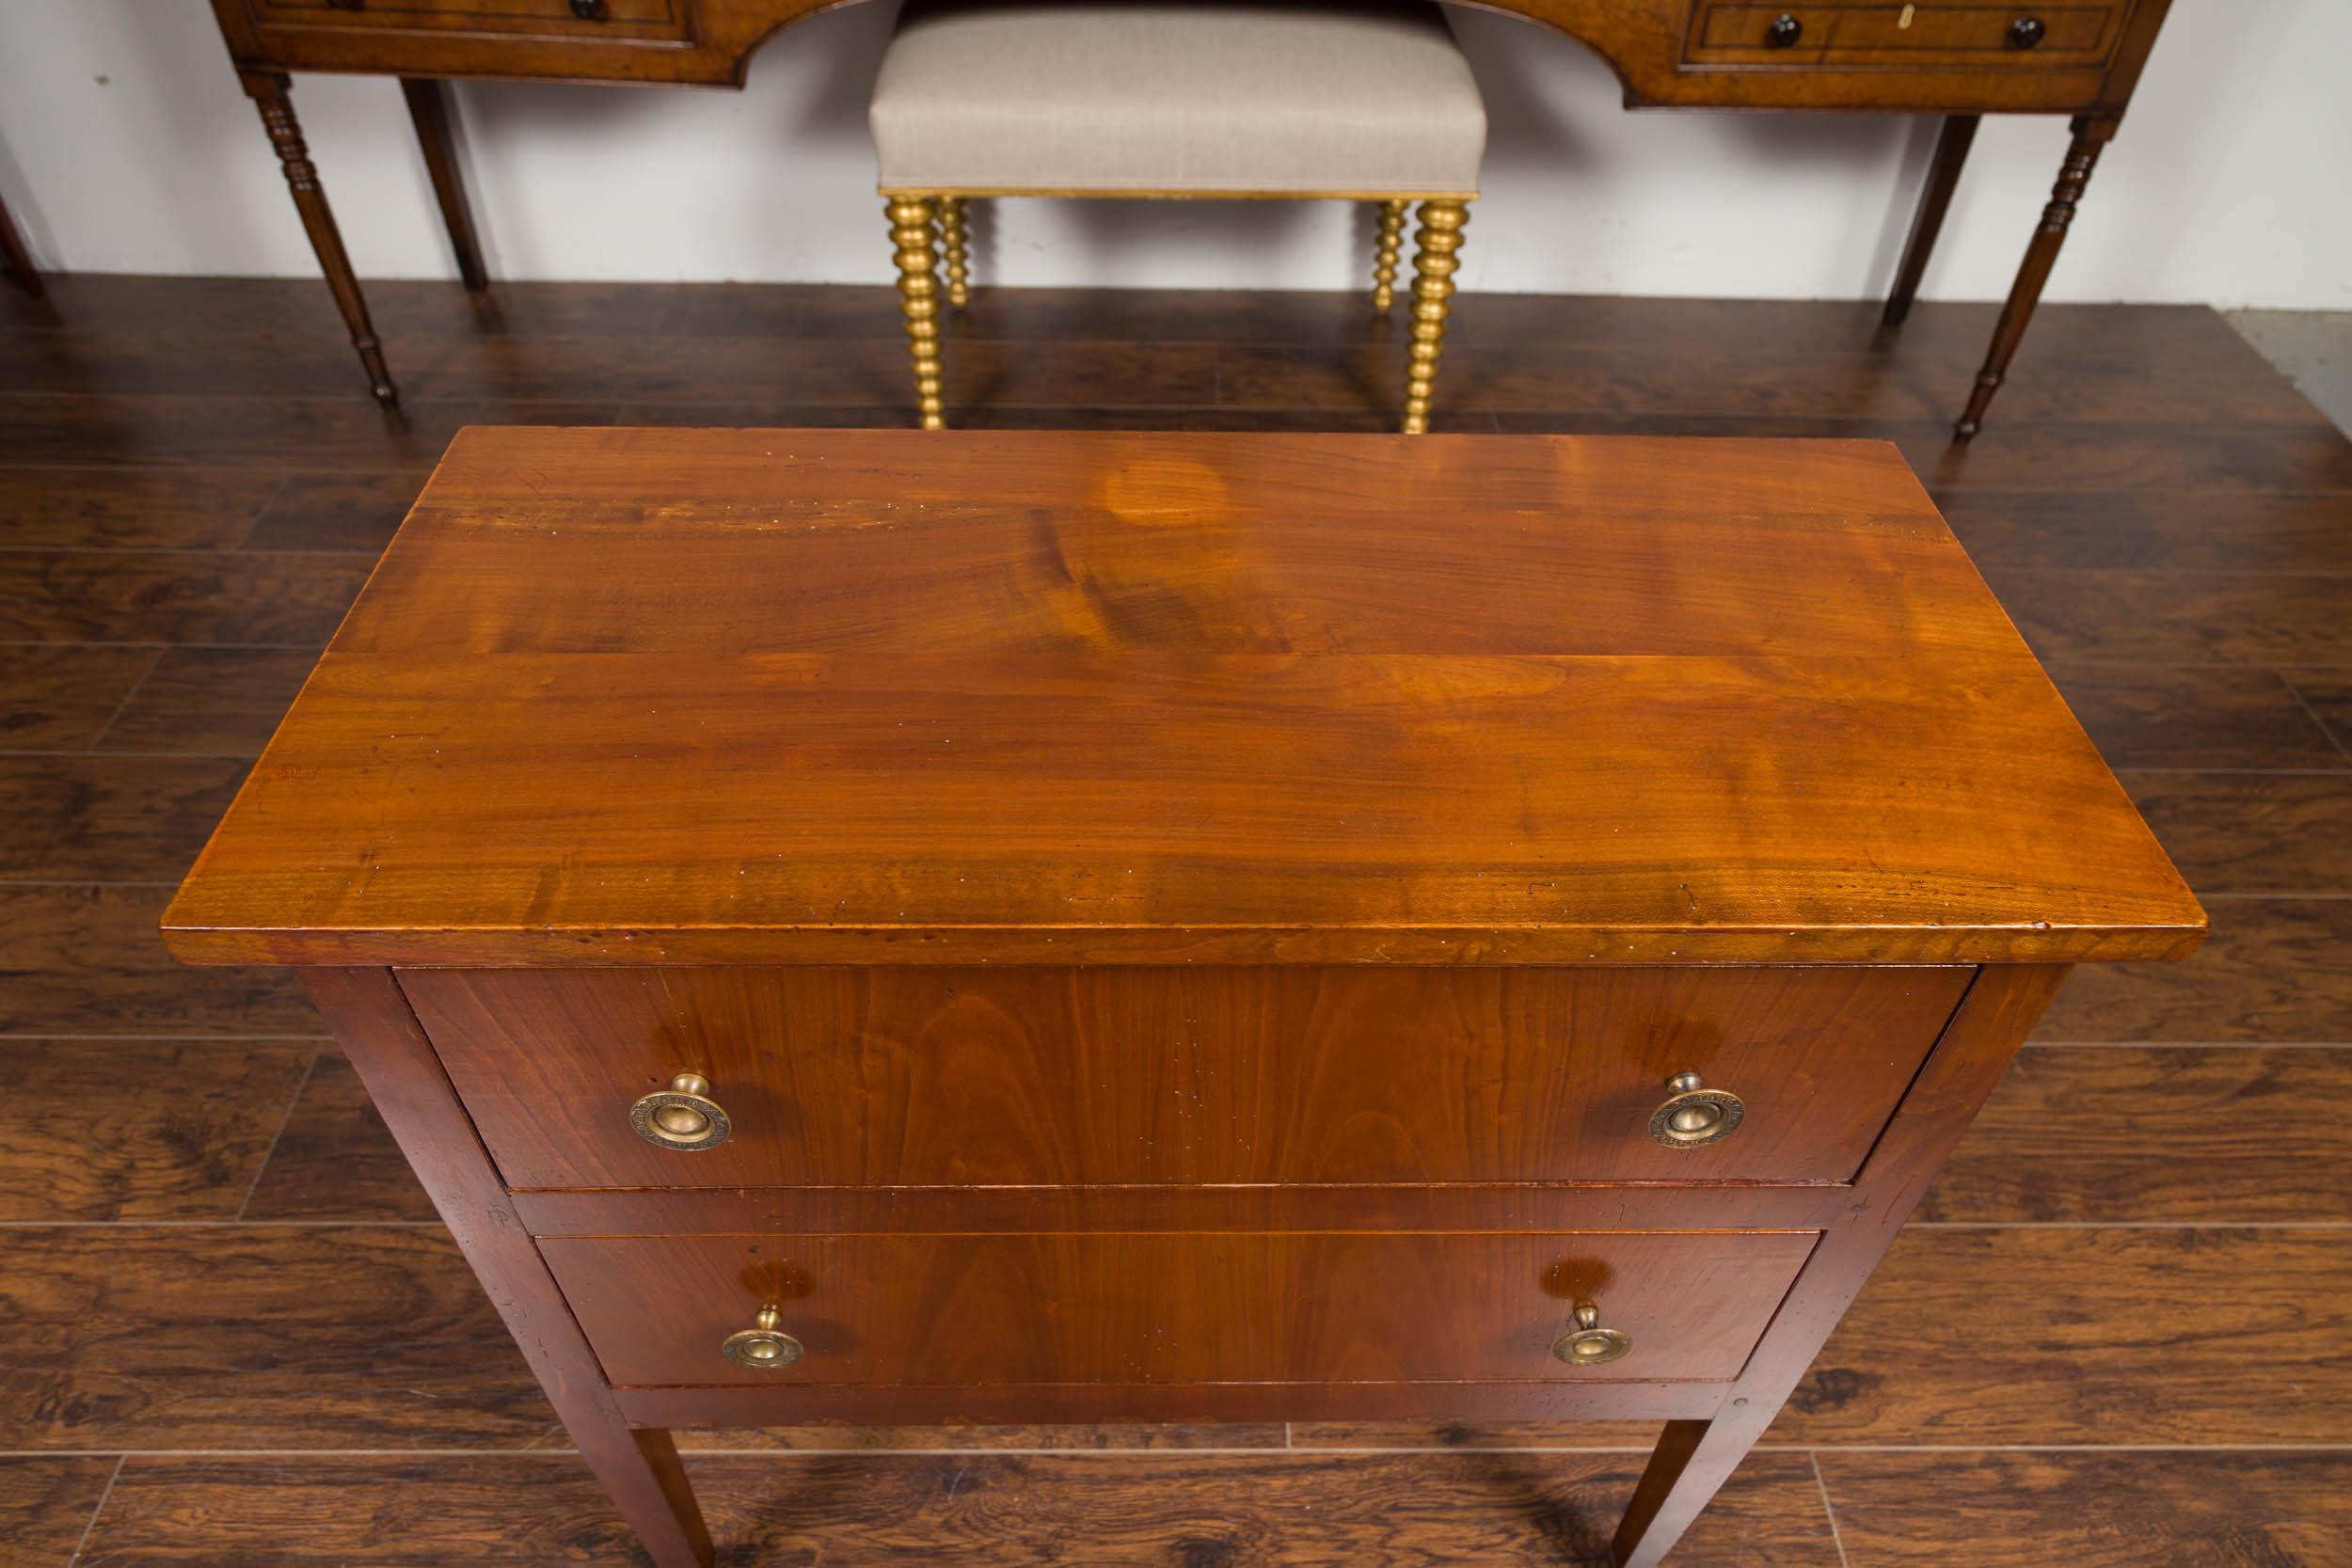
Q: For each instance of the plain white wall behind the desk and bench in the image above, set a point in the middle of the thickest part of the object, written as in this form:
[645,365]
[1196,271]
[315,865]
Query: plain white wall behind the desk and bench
[128,147]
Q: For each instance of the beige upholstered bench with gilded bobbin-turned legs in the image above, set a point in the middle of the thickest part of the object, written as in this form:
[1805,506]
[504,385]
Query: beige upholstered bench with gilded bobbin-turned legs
[1170,100]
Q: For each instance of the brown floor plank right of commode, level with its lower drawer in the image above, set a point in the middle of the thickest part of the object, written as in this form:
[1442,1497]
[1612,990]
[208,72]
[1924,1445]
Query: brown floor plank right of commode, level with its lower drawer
[2092,1334]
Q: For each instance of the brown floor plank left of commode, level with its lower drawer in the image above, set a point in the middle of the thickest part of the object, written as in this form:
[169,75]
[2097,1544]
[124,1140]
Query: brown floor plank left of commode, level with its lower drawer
[255,1336]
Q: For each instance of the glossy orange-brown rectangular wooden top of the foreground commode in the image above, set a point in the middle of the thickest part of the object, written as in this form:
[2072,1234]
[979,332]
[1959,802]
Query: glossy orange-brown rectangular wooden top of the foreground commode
[787,697]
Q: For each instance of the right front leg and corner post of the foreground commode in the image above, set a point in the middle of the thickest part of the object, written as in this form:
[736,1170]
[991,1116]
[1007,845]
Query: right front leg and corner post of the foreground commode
[1697,1456]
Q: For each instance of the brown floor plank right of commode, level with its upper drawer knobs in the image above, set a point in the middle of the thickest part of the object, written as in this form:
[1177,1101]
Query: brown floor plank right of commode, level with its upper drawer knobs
[2156,1134]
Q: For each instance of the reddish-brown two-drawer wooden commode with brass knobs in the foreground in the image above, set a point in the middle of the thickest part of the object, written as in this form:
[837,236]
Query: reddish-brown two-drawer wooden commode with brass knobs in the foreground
[1048,927]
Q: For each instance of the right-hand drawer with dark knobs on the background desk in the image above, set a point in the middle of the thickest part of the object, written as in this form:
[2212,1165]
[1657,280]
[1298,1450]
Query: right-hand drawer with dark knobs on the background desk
[1925,34]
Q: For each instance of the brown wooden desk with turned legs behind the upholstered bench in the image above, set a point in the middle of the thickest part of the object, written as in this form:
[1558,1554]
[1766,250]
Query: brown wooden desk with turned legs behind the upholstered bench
[1953,58]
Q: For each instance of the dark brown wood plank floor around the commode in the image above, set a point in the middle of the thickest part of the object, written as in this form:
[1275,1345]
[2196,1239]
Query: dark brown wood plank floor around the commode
[232,1332]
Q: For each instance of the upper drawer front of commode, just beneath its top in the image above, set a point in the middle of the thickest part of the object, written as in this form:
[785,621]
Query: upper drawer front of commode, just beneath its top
[921,1078]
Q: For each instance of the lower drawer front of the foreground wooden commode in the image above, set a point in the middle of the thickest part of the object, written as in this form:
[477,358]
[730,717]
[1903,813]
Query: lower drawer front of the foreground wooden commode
[1123,1308]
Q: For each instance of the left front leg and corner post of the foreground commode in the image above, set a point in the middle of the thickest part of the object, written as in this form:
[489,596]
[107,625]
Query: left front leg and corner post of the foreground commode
[403,1076]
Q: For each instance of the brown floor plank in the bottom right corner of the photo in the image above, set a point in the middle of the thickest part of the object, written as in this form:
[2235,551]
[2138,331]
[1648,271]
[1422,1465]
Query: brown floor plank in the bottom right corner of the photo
[2092,1510]
